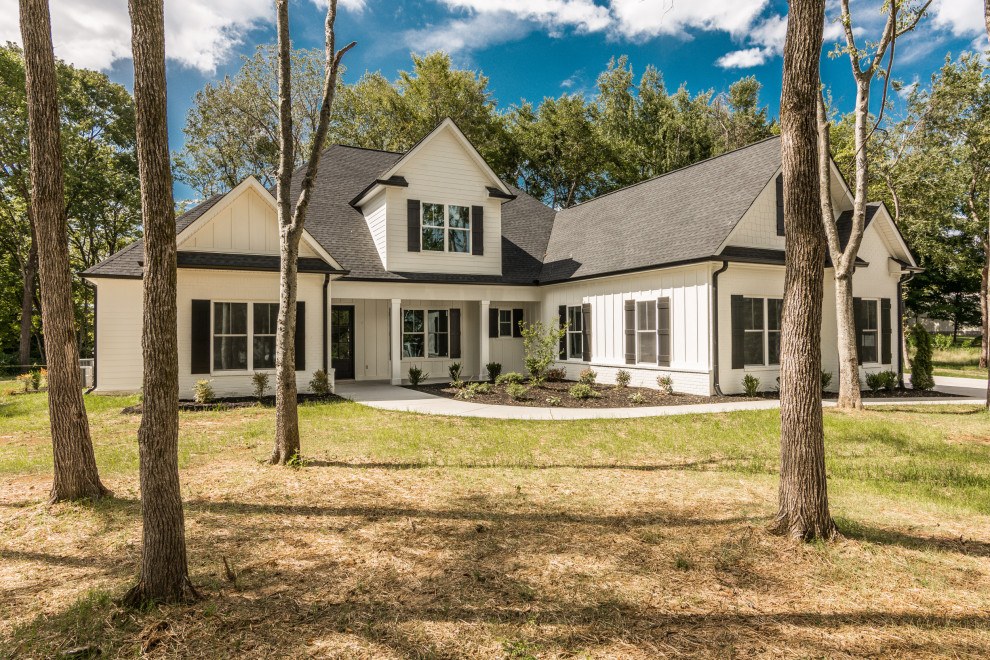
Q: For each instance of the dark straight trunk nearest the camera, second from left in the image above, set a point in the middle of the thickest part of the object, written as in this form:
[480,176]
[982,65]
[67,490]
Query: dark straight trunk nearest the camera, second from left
[164,572]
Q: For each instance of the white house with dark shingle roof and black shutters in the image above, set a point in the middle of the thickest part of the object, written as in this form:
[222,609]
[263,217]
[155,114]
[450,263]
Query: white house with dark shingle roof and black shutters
[426,258]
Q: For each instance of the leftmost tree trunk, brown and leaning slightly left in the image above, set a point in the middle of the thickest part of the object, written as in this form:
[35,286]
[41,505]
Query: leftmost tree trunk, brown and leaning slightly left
[76,474]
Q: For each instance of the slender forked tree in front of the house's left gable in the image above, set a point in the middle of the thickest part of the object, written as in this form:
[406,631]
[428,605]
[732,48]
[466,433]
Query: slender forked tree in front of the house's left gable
[292,221]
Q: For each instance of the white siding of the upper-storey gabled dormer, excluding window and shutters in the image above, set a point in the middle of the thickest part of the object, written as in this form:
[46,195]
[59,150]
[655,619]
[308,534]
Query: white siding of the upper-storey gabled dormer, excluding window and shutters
[443,172]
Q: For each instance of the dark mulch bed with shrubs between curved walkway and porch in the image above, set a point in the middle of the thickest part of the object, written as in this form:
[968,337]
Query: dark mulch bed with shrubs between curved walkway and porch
[611,396]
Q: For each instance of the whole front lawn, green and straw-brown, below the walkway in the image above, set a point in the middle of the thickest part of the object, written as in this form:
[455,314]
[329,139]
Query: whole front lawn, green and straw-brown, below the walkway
[425,537]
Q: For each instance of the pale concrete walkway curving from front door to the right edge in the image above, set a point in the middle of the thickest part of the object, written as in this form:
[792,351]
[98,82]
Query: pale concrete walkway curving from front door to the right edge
[389,397]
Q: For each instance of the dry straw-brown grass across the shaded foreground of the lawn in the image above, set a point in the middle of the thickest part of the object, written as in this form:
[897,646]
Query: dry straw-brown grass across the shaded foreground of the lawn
[364,560]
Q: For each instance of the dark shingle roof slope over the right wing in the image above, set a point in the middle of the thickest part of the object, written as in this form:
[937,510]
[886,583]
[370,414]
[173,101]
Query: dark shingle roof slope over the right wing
[680,216]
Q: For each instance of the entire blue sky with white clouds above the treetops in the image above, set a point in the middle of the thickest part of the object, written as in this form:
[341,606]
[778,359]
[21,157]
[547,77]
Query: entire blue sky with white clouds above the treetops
[528,48]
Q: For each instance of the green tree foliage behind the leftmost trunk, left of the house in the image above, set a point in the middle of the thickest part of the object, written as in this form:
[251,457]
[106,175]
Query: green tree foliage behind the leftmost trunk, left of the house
[101,184]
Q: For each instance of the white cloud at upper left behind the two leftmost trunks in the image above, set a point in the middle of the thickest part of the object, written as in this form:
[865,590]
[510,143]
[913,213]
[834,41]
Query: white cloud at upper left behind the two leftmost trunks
[200,35]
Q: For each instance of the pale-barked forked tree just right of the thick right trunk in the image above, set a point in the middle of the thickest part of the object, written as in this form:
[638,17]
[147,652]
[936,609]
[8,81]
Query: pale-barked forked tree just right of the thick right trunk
[902,16]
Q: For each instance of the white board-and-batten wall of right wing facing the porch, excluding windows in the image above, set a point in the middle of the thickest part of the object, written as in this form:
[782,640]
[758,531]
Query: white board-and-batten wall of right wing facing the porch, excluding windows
[688,290]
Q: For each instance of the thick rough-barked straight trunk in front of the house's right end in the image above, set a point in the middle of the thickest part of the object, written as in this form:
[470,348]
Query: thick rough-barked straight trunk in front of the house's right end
[803,507]
